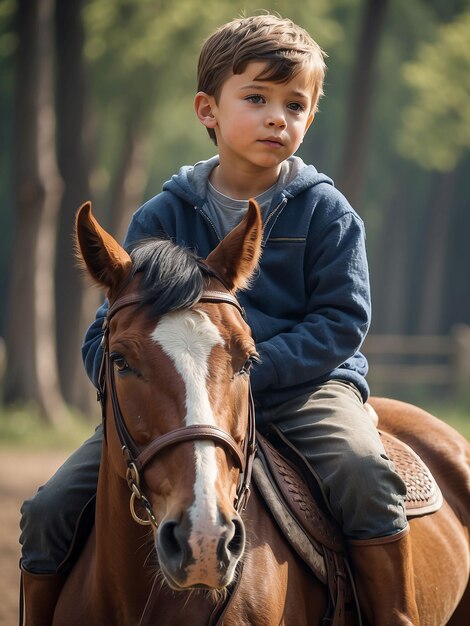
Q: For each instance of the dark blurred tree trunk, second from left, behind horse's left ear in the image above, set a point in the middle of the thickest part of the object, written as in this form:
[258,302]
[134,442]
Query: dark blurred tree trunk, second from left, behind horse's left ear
[75,304]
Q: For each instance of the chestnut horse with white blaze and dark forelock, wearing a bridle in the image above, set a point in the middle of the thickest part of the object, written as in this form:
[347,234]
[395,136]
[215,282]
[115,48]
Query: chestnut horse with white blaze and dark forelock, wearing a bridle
[176,538]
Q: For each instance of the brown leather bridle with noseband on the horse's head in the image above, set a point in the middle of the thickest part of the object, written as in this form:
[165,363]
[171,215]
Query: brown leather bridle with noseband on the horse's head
[137,459]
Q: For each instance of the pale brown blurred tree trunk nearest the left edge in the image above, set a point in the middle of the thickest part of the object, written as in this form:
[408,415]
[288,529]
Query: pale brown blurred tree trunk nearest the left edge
[32,369]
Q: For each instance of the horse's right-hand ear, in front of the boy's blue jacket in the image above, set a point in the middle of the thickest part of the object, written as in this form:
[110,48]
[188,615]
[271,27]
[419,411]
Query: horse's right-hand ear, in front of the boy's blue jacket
[237,255]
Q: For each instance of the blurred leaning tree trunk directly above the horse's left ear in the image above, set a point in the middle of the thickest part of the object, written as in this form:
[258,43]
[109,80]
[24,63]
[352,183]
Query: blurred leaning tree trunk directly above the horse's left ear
[131,173]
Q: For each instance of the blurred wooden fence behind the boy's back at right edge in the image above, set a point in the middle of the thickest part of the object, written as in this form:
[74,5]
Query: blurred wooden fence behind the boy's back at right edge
[441,361]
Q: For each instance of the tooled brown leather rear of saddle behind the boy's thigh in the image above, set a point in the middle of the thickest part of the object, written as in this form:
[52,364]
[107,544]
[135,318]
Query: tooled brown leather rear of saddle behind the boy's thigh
[423,493]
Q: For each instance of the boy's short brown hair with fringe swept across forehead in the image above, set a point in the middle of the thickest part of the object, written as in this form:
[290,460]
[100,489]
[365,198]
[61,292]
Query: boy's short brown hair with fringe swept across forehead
[286,48]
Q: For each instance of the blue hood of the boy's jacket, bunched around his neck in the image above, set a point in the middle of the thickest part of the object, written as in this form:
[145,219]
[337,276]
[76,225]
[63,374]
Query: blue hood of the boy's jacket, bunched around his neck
[190,183]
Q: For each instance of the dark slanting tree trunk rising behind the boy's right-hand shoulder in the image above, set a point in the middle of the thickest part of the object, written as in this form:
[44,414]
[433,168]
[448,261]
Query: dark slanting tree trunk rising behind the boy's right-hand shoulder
[354,157]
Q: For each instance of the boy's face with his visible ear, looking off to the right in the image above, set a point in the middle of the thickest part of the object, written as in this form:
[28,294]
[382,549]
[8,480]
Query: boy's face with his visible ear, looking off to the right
[258,124]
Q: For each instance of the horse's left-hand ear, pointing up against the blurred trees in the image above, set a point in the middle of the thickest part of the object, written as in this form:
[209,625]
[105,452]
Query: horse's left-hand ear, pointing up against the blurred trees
[106,261]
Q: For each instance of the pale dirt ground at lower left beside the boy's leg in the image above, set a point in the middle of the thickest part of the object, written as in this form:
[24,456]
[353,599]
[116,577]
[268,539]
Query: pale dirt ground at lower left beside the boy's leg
[21,473]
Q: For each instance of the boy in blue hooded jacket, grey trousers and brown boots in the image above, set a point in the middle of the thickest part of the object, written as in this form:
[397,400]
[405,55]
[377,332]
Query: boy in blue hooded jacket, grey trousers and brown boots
[260,80]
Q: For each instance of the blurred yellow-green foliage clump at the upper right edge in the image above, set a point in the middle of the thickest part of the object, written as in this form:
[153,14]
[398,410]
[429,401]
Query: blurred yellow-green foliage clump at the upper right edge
[435,128]
